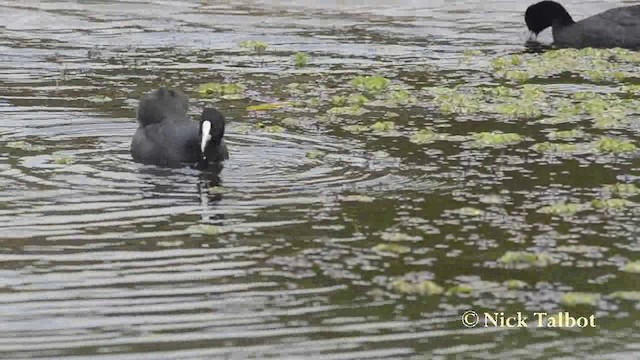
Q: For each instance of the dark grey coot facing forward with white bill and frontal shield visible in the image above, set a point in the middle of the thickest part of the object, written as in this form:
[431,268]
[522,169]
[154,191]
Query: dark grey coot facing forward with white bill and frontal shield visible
[167,137]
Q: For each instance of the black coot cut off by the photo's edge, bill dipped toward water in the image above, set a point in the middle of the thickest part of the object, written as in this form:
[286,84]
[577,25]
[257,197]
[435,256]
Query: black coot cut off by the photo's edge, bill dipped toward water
[619,27]
